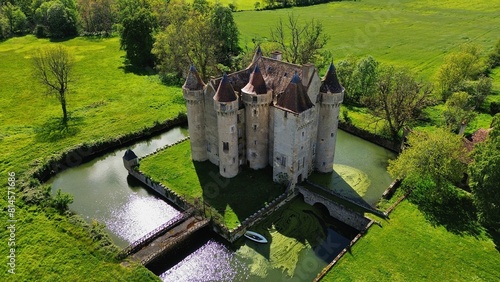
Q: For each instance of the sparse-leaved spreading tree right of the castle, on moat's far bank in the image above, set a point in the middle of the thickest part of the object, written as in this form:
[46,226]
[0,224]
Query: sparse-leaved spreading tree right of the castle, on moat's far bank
[399,98]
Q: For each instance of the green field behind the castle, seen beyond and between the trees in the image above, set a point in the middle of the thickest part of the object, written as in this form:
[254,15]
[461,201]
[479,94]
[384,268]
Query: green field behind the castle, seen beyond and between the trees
[410,33]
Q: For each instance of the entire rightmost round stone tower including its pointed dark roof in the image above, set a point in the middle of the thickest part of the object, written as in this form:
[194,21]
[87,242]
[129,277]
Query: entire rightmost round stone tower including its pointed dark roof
[331,96]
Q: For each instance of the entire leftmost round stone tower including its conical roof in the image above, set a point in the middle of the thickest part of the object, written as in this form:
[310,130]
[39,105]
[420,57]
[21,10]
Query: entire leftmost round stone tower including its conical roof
[193,94]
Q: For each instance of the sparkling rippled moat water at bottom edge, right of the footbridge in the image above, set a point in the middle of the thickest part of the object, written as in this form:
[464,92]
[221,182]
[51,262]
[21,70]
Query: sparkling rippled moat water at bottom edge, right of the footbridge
[212,262]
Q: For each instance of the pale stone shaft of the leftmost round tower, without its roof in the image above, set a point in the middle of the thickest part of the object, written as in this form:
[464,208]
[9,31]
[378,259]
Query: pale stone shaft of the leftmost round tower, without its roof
[195,104]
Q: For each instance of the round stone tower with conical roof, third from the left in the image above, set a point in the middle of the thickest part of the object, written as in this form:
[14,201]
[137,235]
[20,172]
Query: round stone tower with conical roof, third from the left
[257,99]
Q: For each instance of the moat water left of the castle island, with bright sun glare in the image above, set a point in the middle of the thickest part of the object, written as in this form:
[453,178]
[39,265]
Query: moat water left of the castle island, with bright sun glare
[103,191]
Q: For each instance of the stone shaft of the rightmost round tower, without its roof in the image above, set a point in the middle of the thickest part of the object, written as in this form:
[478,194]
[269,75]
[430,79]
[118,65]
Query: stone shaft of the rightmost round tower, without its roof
[327,131]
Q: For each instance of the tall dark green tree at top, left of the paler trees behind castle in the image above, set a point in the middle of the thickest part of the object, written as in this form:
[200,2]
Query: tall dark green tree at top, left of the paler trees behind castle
[137,25]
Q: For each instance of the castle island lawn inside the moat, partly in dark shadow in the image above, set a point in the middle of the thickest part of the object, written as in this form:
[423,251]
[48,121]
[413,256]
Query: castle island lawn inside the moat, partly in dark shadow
[234,199]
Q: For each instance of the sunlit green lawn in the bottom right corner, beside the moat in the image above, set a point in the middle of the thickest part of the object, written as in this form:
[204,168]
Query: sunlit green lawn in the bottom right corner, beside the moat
[408,248]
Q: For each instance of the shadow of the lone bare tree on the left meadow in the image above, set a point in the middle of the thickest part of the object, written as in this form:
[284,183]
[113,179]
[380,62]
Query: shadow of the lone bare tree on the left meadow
[54,129]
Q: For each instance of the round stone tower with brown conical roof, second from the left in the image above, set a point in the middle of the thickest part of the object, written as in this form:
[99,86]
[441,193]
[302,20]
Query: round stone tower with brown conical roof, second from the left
[226,106]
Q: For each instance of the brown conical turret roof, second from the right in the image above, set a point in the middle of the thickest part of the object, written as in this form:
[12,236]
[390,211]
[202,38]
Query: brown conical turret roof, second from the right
[295,98]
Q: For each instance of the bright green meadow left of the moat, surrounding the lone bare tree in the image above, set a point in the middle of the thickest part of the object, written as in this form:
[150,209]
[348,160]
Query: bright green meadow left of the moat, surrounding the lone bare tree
[105,100]
